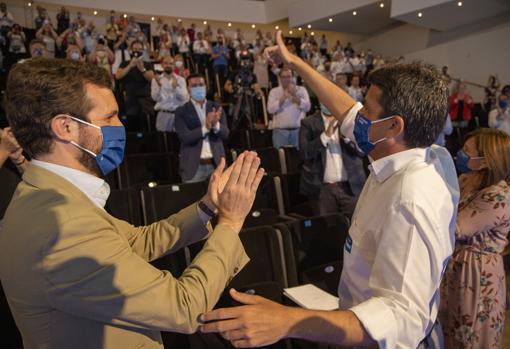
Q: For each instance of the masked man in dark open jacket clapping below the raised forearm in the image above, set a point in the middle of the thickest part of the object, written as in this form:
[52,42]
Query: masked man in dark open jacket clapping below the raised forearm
[332,175]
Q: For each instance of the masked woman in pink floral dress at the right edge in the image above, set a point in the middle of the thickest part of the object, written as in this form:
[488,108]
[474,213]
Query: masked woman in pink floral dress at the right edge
[473,292]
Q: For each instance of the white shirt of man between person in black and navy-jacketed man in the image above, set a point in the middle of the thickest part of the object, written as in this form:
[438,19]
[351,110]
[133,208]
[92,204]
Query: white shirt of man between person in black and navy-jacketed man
[167,97]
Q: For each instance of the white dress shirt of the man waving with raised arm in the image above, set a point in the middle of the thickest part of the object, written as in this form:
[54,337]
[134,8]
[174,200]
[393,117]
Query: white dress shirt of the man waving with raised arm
[400,240]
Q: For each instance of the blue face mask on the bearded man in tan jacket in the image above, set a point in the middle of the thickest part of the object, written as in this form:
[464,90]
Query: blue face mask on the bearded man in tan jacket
[112,150]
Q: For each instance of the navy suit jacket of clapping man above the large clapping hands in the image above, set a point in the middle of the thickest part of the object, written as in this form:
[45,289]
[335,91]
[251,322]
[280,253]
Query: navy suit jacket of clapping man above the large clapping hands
[189,130]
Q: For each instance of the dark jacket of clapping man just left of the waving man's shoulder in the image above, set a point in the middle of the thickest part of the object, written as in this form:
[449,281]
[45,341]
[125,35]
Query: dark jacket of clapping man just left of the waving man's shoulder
[313,154]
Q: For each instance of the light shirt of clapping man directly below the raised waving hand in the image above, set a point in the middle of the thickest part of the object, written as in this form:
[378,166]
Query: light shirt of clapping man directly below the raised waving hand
[289,114]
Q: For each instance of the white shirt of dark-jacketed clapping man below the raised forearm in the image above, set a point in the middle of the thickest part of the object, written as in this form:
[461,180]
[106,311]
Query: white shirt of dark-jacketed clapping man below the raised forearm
[335,170]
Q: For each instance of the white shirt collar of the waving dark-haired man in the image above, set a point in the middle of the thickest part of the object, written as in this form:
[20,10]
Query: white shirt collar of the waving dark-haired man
[385,167]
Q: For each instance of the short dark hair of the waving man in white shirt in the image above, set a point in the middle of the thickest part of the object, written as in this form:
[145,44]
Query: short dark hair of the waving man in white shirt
[419,94]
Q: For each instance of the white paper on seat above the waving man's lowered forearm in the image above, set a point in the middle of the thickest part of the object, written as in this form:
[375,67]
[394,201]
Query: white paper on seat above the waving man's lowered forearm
[311,297]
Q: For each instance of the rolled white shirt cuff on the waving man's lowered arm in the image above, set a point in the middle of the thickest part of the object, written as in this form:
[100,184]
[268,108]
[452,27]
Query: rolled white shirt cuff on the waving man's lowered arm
[378,320]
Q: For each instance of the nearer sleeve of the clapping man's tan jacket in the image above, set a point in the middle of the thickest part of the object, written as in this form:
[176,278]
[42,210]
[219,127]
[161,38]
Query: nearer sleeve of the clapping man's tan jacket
[98,276]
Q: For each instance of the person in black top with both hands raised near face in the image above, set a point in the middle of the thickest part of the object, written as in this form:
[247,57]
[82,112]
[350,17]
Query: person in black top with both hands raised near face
[136,75]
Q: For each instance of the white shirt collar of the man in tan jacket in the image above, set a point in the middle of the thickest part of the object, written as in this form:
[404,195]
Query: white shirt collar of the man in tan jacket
[96,189]
